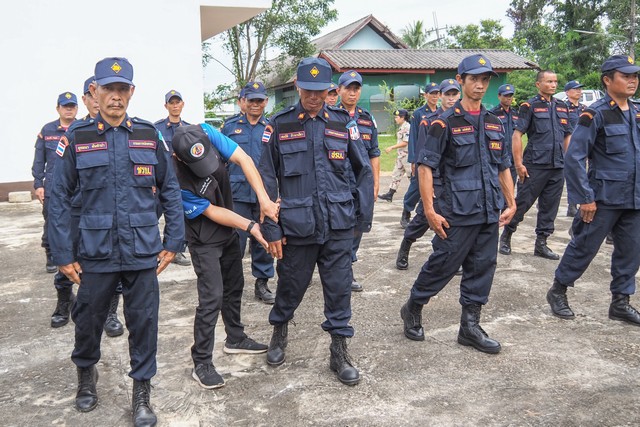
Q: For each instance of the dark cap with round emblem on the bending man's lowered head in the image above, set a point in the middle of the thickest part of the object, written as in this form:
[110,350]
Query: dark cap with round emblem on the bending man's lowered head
[194,148]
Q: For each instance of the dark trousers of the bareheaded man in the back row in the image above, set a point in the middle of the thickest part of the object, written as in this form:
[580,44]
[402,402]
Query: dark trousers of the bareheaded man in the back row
[544,185]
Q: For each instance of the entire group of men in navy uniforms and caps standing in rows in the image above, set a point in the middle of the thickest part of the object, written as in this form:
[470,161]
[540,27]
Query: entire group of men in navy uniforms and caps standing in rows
[303,187]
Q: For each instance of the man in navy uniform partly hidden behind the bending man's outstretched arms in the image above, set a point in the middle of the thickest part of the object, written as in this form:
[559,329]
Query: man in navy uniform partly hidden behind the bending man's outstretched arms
[246,131]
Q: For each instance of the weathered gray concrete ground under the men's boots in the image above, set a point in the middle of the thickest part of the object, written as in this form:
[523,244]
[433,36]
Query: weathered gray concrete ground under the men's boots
[550,372]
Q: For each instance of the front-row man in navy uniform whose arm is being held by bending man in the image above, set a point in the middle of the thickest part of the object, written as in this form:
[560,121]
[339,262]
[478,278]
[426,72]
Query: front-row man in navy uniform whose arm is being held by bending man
[311,151]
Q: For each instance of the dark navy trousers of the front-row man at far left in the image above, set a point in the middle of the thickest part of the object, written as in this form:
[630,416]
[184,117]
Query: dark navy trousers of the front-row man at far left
[141,302]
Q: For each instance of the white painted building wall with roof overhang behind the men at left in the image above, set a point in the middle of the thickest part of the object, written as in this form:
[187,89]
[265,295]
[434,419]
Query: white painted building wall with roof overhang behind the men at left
[48,47]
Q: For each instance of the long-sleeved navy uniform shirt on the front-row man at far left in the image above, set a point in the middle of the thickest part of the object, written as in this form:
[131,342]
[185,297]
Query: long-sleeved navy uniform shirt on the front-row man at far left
[122,172]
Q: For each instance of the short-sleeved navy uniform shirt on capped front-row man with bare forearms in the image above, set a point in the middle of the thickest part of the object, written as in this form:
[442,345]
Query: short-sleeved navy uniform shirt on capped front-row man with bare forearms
[469,152]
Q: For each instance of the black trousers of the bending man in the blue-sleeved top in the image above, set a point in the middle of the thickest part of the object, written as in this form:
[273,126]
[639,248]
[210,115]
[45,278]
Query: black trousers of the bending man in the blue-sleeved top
[220,284]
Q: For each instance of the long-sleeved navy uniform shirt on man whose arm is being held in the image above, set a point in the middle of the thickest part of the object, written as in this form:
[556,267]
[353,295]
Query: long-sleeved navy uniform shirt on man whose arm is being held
[309,163]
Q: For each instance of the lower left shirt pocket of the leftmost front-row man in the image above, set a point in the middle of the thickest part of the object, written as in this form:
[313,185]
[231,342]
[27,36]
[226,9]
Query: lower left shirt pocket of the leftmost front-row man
[95,236]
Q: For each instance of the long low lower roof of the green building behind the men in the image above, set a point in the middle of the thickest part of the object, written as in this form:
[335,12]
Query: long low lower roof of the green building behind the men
[419,60]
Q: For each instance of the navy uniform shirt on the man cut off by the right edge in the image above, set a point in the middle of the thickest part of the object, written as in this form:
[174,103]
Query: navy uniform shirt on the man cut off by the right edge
[609,139]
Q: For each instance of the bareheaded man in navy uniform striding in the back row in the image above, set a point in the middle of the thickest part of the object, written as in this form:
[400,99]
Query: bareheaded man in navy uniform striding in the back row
[540,168]
